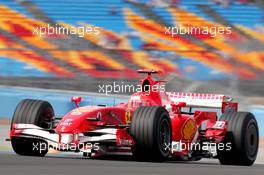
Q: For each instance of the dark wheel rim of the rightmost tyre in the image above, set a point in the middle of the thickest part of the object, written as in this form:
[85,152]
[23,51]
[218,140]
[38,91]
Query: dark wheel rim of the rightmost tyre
[252,140]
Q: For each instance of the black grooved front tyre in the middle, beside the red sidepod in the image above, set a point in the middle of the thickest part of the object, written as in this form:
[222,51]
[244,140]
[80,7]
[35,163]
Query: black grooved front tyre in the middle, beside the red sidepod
[151,129]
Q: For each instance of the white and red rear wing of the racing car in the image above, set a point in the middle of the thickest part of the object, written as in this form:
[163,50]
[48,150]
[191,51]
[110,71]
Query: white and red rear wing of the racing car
[203,100]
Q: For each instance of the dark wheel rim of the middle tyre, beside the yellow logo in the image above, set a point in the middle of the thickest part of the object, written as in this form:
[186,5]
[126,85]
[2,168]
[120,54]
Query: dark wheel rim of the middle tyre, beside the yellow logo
[164,135]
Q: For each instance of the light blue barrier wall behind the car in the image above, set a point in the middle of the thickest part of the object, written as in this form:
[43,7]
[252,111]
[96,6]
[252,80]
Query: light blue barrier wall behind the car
[61,101]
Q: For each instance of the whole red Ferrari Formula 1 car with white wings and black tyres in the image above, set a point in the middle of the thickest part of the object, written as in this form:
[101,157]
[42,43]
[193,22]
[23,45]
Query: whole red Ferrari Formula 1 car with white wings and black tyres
[154,125]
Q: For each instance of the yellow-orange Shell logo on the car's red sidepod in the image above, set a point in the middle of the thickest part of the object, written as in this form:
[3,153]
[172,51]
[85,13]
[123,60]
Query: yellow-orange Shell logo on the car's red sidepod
[189,129]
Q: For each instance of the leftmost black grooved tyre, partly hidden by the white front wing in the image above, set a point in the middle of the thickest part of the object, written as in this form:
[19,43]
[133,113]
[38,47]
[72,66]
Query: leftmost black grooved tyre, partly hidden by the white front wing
[39,113]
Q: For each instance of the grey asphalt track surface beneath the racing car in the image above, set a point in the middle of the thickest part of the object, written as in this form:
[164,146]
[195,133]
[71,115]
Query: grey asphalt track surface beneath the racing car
[71,165]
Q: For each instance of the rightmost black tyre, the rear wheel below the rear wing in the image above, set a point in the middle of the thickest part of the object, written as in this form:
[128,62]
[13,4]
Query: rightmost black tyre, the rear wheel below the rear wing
[243,134]
